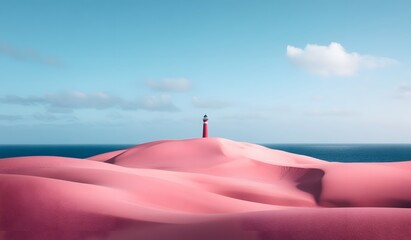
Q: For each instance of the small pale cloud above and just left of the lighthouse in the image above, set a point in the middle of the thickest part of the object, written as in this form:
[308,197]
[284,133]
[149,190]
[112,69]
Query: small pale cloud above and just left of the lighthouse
[170,85]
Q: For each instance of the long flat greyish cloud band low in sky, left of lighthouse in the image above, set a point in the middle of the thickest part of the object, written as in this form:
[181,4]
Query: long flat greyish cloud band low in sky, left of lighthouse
[68,101]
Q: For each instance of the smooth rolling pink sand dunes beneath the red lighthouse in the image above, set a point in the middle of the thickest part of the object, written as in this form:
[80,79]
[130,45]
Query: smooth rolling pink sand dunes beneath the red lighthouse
[202,189]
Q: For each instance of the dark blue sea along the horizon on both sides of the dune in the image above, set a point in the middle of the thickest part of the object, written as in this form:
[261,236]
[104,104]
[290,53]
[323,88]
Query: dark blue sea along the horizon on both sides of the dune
[328,152]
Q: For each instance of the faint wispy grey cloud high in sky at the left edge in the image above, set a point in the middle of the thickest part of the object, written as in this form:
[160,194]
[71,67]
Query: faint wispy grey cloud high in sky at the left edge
[28,54]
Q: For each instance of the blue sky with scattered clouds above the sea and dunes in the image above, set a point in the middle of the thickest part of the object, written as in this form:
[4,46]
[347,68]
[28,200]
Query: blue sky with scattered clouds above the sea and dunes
[125,72]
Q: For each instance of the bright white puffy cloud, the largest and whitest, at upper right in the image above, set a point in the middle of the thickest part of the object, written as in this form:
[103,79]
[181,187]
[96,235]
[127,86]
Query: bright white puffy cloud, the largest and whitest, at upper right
[333,60]
